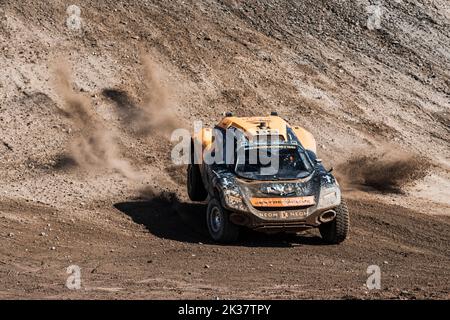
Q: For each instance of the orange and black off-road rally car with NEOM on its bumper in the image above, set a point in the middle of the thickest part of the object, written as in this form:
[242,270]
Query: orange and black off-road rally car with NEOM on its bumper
[262,173]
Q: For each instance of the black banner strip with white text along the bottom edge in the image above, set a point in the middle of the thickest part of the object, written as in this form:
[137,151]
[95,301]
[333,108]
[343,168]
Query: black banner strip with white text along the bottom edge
[223,309]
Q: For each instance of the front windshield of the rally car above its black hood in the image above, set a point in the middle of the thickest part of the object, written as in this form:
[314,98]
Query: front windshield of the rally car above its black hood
[273,163]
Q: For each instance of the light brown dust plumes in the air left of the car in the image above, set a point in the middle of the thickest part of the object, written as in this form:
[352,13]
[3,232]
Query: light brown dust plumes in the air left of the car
[94,146]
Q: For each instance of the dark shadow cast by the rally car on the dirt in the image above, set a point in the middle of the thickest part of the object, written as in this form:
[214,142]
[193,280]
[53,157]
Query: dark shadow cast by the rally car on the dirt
[184,221]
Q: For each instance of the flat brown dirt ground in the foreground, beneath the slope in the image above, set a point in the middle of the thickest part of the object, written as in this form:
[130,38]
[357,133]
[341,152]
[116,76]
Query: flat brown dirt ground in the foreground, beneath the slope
[146,250]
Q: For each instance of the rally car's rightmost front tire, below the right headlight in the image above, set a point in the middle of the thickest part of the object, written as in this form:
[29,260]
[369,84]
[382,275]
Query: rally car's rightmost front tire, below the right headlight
[336,231]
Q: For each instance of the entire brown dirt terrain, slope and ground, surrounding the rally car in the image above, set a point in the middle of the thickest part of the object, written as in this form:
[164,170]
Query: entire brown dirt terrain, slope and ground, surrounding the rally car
[361,92]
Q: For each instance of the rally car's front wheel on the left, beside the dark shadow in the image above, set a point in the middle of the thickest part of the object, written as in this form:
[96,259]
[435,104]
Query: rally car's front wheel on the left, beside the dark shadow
[219,225]
